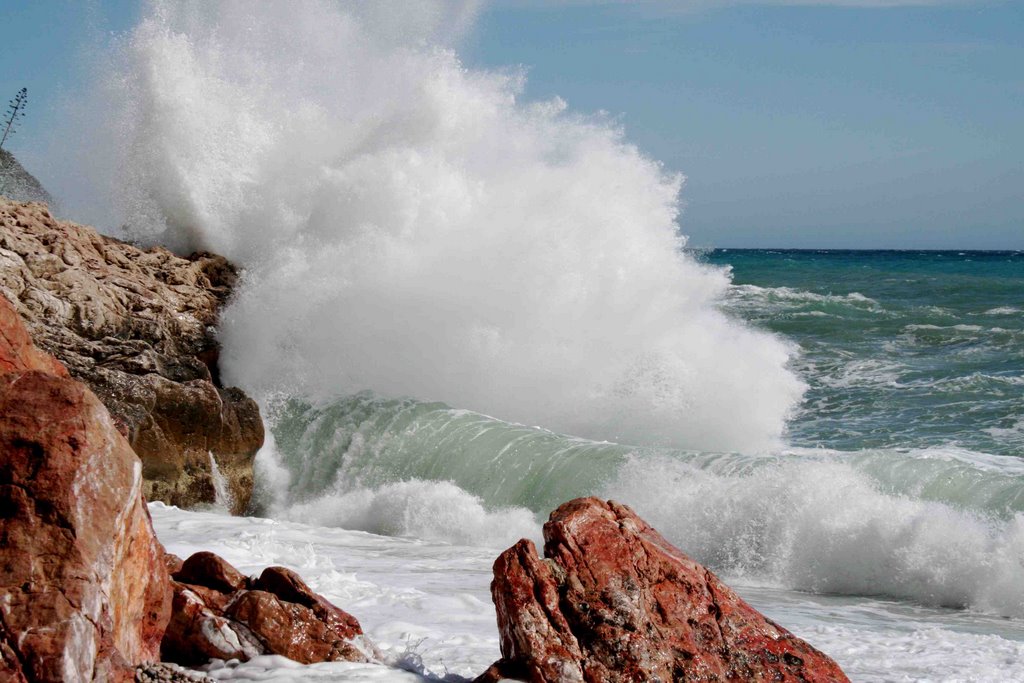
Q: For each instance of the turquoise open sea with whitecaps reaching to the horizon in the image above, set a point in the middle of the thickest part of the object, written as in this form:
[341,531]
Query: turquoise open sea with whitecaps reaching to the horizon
[901,350]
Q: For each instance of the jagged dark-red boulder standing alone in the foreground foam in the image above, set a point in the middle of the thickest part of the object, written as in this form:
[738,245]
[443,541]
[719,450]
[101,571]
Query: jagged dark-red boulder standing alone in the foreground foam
[615,602]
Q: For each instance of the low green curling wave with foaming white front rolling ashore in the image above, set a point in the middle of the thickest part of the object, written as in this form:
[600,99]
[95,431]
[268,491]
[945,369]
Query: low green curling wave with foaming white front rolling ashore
[941,527]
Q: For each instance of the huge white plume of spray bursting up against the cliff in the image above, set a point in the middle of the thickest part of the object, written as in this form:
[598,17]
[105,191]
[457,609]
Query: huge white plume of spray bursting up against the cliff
[410,227]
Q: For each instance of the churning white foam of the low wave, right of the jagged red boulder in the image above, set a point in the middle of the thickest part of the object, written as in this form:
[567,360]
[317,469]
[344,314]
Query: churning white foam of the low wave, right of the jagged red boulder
[824,527]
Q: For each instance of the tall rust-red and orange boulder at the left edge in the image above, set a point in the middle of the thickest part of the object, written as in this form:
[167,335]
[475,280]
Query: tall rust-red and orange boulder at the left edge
[84,592]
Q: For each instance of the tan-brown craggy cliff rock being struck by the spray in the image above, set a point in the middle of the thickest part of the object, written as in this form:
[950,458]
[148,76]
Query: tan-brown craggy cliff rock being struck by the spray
[138,327]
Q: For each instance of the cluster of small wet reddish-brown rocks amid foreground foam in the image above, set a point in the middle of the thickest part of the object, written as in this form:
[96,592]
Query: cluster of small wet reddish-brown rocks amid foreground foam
[221,614]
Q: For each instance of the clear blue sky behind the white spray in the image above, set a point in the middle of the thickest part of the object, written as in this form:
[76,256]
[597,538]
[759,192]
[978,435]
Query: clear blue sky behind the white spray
[855,124]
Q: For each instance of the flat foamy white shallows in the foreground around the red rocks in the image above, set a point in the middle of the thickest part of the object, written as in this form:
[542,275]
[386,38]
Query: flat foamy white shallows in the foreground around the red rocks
[428,606]
